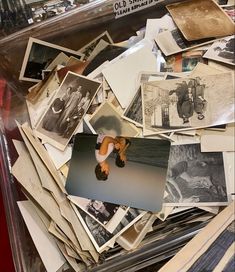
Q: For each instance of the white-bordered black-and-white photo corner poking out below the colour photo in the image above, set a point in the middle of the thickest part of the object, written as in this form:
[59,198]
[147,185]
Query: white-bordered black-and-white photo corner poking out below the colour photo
[99,236]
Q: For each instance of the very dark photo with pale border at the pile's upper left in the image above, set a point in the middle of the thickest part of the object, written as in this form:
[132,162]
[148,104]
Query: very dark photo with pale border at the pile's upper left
[39,55]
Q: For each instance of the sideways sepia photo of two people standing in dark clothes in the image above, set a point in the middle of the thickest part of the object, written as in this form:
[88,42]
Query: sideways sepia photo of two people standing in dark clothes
[187,103]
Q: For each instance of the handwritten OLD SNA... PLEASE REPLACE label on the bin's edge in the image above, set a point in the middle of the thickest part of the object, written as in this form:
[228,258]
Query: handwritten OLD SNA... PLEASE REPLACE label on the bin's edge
[125,7]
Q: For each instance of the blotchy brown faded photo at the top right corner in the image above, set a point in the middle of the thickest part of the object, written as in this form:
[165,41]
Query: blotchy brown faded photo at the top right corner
[195,22]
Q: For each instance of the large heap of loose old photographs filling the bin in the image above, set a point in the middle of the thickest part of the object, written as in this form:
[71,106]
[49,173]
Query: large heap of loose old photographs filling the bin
[126,135]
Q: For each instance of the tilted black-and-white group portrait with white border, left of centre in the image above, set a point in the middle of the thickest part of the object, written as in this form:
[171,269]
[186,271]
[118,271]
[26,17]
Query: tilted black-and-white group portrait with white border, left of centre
[66,110]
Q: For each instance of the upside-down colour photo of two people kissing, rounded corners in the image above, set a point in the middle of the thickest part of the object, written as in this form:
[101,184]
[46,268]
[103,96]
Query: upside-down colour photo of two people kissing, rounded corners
[101,165]
